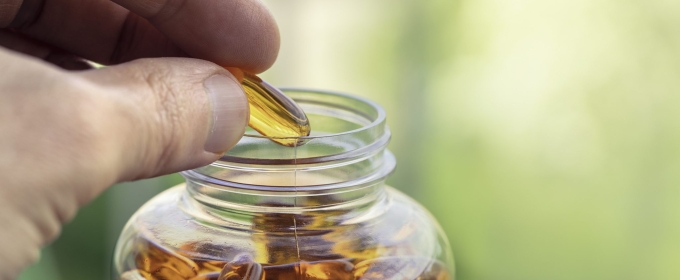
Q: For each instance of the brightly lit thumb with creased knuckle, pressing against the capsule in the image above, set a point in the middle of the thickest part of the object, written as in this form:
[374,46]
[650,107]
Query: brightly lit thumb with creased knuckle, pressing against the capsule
[172,114]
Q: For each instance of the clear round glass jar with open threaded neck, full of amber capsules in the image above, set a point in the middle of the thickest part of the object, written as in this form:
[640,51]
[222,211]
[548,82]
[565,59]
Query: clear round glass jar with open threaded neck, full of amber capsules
[315,211]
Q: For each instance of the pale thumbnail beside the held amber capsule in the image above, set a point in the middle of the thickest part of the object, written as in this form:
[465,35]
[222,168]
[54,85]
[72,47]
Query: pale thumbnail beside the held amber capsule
[229,113]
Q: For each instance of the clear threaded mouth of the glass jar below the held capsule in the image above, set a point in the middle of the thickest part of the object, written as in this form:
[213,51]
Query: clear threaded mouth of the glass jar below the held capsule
[345,151]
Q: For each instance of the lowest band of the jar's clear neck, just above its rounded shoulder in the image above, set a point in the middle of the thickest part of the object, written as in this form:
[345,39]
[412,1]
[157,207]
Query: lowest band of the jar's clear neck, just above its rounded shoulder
[233,208]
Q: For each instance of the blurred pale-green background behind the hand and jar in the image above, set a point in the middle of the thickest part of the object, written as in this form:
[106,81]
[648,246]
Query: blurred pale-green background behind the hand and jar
[543,134]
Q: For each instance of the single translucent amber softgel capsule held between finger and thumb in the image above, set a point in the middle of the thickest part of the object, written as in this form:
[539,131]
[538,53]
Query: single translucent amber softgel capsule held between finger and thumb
[274,114]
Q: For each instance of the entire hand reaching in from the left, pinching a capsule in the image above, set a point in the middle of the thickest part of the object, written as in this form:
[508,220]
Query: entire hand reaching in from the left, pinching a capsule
[65,136]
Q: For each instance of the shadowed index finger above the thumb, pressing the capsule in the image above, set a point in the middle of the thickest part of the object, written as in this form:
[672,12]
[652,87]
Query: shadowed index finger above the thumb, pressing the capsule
[237,33]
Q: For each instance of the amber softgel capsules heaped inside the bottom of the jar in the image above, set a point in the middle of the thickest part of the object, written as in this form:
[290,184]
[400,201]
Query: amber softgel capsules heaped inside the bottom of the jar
[155,263]
